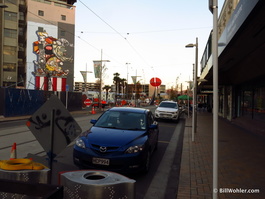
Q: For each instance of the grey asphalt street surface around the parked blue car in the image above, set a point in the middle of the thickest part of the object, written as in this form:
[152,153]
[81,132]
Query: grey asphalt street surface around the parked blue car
[160,182]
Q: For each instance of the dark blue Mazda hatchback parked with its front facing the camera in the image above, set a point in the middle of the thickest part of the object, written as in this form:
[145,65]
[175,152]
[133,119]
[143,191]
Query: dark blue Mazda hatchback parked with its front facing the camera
[121,140]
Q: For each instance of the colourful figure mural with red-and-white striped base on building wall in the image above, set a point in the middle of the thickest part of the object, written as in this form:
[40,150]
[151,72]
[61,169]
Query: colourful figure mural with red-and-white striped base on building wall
[51,55]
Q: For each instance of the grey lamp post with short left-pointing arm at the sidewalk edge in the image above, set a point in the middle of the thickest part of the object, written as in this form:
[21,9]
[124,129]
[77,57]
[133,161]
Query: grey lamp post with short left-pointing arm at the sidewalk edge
[194,109]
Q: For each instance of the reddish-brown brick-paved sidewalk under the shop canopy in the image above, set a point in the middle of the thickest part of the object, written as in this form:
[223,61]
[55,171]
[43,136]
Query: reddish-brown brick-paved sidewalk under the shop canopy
[241,161]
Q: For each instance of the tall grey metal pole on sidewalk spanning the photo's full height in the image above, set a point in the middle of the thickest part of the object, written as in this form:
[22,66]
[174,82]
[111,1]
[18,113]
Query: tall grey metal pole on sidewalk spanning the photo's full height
[215,100]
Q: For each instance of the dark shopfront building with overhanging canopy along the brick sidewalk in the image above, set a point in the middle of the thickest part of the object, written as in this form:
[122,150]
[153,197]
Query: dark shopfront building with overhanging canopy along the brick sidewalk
[241,70]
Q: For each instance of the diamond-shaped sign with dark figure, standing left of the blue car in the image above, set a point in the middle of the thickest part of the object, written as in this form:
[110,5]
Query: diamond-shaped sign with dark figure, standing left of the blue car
[53,126]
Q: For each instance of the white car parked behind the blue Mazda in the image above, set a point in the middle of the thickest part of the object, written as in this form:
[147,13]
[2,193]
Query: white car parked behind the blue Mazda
[167,110]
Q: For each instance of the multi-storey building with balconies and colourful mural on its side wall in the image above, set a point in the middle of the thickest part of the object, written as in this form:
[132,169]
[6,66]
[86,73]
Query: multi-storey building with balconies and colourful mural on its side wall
[37,39]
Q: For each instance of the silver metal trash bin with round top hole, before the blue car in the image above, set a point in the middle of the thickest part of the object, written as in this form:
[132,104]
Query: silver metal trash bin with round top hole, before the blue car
[96,184]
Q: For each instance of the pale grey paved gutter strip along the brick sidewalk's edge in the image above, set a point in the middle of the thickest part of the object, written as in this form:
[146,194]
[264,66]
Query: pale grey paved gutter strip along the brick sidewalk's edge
[158,185]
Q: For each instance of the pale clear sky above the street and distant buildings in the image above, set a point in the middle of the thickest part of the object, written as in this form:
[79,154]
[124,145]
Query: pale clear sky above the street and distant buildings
[151,35]
